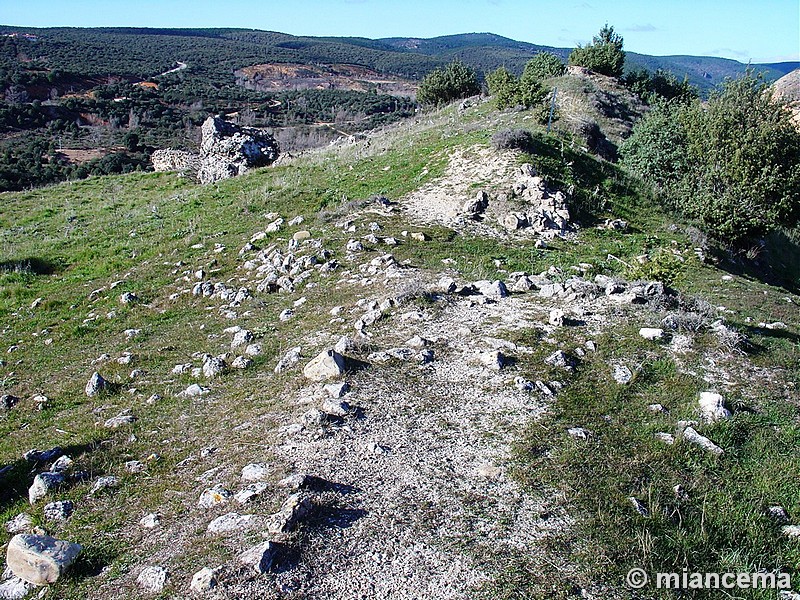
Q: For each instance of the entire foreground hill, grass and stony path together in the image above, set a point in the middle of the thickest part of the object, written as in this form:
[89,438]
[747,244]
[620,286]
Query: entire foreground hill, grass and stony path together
[409,364]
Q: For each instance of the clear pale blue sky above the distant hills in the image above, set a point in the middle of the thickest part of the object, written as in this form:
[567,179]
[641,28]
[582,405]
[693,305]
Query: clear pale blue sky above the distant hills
[756,30]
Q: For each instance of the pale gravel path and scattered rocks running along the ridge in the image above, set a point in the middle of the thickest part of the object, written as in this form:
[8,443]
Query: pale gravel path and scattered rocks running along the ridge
[372,455]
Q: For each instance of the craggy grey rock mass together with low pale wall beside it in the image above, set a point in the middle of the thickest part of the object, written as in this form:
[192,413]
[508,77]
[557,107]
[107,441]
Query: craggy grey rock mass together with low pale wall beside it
[226,150]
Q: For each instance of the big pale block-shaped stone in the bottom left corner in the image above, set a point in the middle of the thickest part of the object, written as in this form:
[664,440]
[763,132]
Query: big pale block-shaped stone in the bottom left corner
[40,559]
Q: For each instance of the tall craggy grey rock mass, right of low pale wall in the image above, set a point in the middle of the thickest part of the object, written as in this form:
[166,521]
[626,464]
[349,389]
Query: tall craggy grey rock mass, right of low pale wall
[228,150]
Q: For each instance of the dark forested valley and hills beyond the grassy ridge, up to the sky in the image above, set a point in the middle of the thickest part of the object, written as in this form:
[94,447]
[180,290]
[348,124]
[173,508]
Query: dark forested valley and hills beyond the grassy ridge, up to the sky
[77,102]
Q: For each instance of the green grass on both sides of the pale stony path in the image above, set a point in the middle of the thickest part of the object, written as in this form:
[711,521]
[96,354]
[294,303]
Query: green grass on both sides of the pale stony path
[63,242]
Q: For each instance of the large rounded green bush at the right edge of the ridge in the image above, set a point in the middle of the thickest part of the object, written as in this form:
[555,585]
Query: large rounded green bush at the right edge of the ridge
[733,165]
